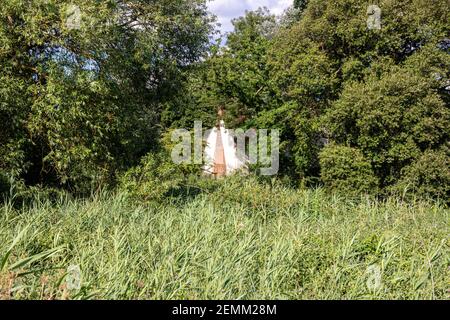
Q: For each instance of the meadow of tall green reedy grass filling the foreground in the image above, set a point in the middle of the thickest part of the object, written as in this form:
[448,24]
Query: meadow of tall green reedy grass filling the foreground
[243,240]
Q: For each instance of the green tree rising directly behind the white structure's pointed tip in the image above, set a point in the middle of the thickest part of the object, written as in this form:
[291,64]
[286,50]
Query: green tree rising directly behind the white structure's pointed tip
[235,77]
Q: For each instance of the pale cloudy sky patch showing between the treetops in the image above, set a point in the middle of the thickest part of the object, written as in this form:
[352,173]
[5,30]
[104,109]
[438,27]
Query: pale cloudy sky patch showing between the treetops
[226,10]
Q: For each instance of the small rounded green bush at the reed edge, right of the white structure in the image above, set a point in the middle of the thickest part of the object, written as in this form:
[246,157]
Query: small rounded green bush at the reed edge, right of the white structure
[345,170]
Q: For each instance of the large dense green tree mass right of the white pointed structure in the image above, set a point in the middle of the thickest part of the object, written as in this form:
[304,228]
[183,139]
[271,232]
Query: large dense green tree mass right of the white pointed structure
[379,91]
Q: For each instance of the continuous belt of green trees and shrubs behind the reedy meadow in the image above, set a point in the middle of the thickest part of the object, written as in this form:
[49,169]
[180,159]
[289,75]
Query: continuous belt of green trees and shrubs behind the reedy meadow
[80,106]
